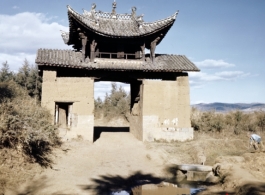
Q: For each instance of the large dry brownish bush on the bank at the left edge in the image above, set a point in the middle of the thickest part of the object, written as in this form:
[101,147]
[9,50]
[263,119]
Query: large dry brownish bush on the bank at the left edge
[26,136]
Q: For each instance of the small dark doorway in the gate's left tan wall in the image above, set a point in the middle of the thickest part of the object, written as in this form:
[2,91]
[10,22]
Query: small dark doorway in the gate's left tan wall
[62,114]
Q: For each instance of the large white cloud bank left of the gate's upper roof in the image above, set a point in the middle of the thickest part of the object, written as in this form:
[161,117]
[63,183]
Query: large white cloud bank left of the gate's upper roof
[24,33]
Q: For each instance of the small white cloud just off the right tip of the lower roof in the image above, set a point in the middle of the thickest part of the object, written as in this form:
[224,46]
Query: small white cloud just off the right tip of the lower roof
[211,64]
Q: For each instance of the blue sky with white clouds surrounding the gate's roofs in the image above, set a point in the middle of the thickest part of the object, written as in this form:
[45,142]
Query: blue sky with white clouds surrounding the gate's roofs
[224,38]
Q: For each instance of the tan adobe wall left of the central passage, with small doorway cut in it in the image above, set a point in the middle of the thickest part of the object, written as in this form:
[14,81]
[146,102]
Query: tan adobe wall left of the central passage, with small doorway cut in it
[80,91]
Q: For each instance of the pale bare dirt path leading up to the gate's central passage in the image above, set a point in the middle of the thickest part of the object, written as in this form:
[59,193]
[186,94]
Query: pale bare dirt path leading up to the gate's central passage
[113,154]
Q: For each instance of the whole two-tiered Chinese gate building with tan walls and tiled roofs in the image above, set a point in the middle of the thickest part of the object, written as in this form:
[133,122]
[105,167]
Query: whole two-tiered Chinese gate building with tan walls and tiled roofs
[111,47]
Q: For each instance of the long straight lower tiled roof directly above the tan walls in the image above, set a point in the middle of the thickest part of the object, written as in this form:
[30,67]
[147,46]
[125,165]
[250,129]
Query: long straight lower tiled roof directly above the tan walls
[71,59]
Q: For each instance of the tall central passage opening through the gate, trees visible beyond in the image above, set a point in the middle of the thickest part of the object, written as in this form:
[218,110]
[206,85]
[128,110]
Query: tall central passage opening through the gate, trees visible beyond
[112,108]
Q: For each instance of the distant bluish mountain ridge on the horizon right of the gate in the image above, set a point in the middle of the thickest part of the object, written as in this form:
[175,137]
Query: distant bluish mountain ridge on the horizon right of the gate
[225,107]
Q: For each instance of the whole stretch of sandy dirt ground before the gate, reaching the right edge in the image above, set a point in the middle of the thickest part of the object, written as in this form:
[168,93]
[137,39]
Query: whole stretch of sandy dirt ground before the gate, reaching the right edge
[116,161]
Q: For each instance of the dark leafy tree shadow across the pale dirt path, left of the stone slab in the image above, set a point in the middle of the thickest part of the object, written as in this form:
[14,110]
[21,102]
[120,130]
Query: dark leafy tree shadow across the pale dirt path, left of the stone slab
[105,185]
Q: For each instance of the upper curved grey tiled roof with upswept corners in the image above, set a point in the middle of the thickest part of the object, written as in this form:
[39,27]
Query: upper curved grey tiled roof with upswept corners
[118,25]
